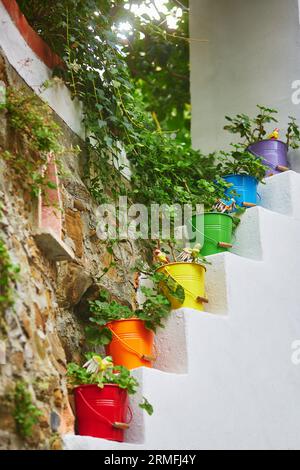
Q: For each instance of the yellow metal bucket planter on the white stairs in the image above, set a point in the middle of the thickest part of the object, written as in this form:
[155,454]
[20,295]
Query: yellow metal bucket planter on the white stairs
[191,277]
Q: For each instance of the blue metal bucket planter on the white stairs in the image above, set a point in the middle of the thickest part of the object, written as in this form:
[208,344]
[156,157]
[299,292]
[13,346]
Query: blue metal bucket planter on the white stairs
[245,188]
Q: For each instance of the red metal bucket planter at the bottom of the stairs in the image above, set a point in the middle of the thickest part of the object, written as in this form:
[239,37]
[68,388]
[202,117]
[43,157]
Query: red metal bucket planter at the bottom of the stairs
[102,412]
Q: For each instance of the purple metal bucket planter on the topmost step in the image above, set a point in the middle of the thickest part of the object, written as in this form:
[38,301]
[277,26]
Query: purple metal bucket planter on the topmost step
[273,154]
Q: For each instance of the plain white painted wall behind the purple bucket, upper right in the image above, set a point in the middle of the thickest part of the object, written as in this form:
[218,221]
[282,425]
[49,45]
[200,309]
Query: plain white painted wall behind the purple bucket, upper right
[252,57]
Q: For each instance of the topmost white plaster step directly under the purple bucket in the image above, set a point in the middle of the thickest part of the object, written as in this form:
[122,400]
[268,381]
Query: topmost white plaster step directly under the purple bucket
[281,193]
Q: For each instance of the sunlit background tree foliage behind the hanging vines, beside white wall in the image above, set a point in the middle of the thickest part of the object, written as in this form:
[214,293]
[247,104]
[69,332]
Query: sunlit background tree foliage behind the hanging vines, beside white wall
[157,55]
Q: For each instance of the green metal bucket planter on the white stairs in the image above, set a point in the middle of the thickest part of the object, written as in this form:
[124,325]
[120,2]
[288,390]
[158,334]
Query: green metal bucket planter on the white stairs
[218,229]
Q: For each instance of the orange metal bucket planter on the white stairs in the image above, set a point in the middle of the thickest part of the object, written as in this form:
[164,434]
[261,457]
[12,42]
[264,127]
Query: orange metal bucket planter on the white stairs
[132,344]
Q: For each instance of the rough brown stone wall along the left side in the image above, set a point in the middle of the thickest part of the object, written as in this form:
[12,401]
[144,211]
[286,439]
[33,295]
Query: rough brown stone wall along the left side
[45,328]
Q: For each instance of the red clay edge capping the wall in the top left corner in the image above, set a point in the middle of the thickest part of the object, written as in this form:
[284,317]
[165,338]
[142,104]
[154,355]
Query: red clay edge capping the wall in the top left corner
[34,41]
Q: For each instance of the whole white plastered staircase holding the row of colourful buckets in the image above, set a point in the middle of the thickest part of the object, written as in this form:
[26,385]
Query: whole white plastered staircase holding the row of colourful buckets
[236,386]
